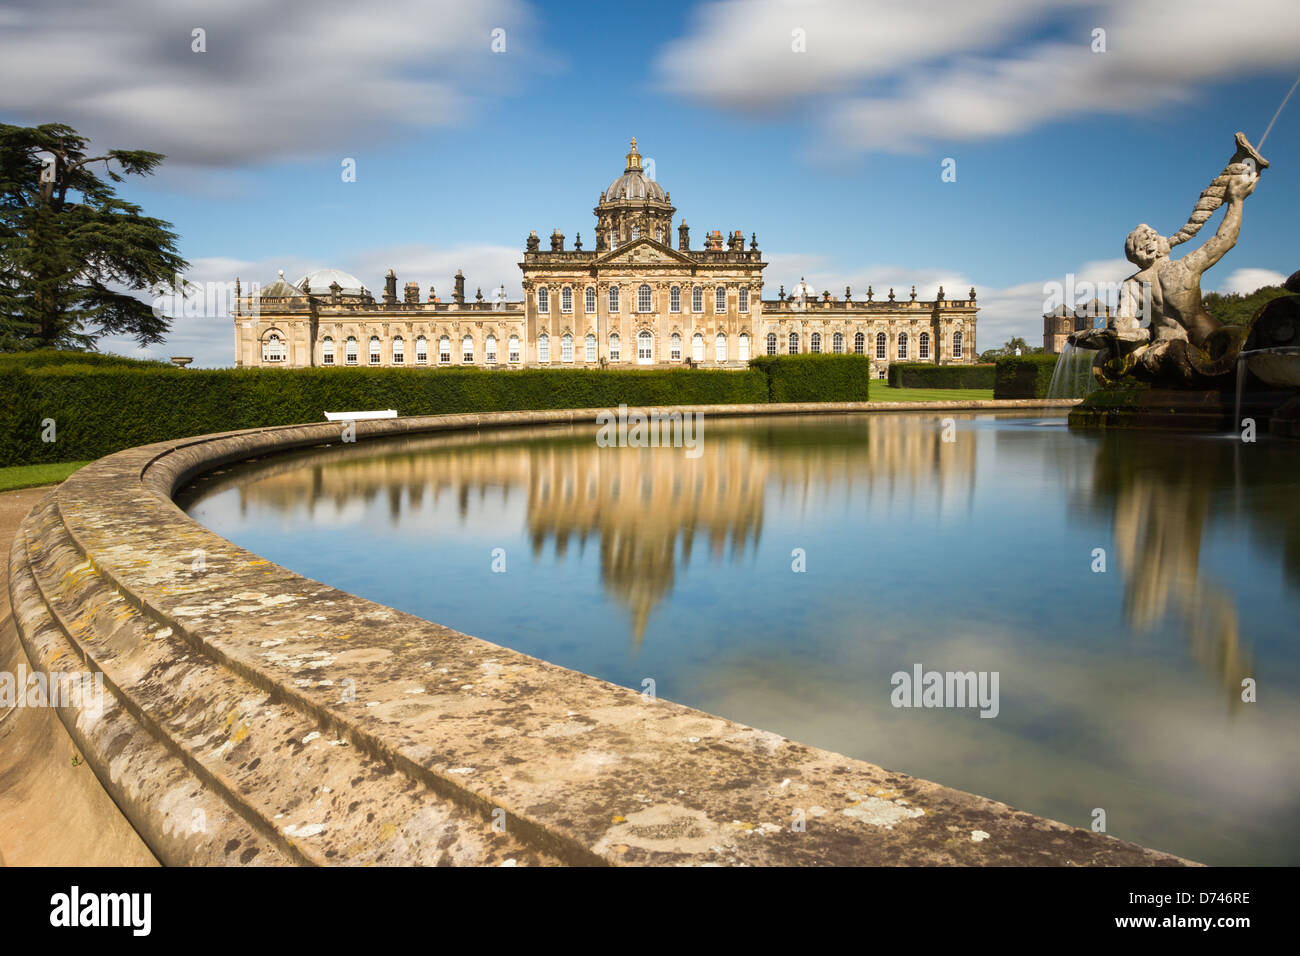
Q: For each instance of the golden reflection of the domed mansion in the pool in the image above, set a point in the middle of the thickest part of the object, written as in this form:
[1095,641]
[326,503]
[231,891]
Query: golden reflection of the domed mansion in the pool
[649,508]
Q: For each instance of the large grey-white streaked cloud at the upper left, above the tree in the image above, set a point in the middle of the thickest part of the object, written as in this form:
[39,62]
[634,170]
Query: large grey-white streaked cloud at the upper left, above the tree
[279,79]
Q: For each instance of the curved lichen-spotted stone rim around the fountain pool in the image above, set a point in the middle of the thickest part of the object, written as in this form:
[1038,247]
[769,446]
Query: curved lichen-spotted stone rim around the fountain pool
[254,716]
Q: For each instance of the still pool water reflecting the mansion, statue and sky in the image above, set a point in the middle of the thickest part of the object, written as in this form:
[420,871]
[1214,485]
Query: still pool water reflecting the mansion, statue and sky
[1119,690]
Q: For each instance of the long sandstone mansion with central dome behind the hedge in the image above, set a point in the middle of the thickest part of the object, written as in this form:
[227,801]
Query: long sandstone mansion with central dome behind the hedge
[632,301]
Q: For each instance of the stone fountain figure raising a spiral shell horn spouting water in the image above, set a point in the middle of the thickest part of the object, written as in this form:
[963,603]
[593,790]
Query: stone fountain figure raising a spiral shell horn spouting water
[1181,344]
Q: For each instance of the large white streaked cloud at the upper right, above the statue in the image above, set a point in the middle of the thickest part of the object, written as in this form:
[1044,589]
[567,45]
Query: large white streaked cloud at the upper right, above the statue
[892,77]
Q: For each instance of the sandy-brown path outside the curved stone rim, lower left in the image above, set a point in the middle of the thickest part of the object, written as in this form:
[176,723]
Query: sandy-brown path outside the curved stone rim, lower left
[53,812]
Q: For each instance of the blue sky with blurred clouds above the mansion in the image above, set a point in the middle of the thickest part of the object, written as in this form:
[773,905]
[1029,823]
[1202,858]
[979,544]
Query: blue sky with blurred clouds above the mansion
[820,126]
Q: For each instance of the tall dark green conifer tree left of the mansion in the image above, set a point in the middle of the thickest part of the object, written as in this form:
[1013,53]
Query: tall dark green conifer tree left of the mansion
[72,253]
